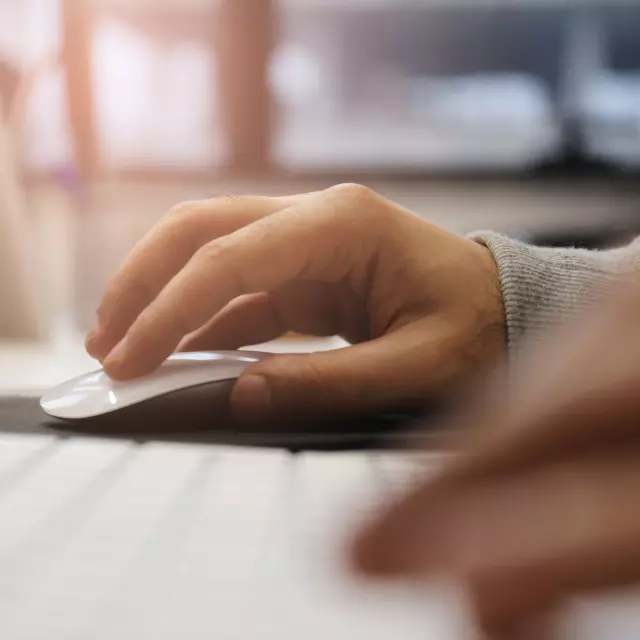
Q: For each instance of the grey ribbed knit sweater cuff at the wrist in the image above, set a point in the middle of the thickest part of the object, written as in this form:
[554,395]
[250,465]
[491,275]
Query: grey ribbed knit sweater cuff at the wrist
[543,288]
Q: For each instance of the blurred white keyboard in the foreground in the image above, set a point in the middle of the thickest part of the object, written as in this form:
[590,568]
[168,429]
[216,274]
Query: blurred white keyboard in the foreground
[113,540]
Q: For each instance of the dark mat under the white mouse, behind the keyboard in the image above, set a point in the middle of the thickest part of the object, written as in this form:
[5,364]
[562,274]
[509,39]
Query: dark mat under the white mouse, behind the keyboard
[179,422]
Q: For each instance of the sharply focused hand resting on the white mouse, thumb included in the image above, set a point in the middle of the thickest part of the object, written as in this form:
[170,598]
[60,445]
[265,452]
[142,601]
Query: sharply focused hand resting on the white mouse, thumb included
[421,305]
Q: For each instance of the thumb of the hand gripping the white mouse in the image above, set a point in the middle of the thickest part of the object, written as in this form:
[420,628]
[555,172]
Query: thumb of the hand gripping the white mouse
[392,372]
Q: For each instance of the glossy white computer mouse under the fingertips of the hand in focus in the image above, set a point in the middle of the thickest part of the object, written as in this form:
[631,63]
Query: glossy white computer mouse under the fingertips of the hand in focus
[95,394]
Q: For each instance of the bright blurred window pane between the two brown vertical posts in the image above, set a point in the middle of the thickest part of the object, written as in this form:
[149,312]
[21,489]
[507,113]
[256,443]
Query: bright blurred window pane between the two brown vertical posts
[156,90]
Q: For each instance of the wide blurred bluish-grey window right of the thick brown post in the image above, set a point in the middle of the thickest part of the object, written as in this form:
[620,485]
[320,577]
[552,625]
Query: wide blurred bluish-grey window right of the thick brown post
[469,86]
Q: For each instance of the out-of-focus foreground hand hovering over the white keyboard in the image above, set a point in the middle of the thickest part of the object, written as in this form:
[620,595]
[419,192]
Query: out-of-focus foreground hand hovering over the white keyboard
[542,504]
